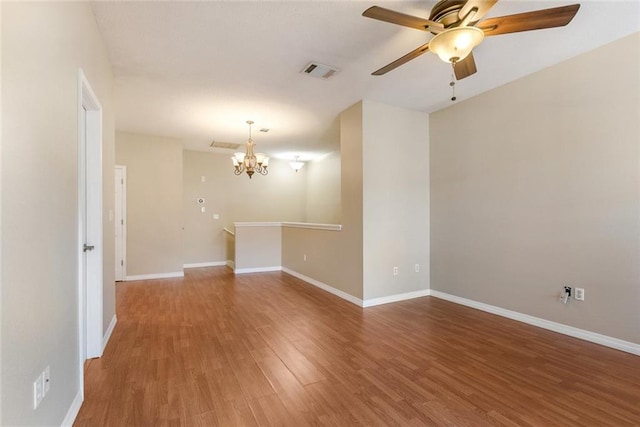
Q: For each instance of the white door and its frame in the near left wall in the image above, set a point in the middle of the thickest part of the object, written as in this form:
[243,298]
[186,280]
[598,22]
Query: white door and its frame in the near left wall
[90,328]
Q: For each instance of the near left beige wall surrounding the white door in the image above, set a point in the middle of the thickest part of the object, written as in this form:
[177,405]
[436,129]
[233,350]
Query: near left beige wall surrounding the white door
[43,46]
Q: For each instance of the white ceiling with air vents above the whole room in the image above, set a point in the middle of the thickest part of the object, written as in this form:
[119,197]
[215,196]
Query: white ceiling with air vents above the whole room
[197,71]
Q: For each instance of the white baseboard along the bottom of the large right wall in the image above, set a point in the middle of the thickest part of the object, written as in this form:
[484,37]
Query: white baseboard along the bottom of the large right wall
[582,334]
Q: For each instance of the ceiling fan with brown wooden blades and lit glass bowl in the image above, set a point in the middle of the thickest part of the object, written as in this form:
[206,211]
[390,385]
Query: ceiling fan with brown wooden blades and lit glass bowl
[457,29]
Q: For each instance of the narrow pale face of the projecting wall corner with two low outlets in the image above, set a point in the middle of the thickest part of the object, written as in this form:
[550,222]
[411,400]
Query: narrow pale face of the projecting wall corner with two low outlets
[395,199]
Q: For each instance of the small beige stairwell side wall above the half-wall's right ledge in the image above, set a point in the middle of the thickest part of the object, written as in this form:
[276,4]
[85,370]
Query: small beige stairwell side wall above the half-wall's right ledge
[323,189]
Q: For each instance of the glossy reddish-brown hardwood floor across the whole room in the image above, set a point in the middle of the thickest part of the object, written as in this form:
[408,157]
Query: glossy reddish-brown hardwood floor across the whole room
[267,349]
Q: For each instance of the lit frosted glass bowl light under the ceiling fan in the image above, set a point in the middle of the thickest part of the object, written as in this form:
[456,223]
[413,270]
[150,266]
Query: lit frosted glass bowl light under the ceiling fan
[455,44]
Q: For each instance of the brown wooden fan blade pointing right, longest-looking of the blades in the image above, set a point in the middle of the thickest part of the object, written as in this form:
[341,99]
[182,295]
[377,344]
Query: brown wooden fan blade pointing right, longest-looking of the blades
[536,20]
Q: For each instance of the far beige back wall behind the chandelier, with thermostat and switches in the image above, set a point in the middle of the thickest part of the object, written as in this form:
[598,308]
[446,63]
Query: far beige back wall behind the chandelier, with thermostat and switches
[278,196]
